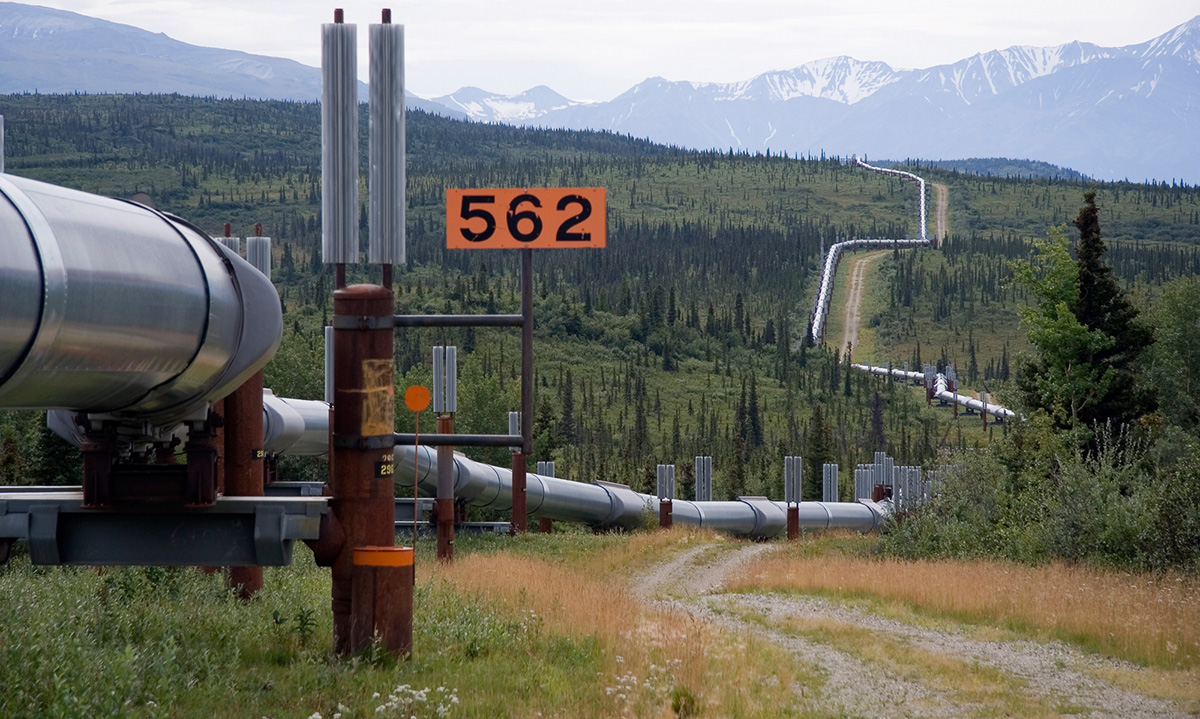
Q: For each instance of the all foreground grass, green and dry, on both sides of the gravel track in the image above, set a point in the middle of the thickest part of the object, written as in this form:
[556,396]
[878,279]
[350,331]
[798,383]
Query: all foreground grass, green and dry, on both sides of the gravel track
[547,626]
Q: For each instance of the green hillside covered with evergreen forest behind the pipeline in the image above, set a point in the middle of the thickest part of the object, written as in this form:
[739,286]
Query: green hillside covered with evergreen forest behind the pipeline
[687,335]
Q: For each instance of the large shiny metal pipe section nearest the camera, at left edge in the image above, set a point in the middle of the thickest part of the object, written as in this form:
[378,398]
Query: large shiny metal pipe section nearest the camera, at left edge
[110,307]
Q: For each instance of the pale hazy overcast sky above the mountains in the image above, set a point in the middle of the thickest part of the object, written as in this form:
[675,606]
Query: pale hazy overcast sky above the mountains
[596,51]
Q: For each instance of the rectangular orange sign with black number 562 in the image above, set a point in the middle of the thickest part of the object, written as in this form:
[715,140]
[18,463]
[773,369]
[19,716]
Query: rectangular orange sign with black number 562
[542,218]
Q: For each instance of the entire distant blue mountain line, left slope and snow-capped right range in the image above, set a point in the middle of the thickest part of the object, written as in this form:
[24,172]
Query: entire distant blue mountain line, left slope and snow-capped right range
[1109,113]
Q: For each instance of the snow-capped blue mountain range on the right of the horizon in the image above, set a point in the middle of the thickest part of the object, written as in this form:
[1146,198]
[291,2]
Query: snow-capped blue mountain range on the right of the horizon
[1112,113]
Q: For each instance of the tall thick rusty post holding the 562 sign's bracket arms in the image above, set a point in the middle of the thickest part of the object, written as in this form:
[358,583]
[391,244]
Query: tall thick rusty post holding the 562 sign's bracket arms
[362,463]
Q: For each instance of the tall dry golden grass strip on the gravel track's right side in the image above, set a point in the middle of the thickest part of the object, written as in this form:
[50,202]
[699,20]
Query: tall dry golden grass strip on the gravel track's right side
[1154,620]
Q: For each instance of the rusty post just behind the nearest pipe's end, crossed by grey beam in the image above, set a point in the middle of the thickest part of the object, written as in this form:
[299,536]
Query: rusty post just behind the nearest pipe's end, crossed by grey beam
[244,465]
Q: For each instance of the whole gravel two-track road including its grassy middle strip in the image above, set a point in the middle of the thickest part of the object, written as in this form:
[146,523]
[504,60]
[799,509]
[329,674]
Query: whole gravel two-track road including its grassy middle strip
[902,669]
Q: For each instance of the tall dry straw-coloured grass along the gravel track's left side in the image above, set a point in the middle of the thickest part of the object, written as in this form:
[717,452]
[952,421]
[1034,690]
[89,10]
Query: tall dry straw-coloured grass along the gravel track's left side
[656,658]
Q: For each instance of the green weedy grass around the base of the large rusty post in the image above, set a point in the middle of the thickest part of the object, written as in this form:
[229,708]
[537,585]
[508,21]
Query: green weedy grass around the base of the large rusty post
[173,643]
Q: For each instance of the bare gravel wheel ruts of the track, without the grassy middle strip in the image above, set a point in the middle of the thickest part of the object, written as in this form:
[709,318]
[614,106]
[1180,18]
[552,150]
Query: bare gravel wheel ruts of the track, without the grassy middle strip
[1053,673]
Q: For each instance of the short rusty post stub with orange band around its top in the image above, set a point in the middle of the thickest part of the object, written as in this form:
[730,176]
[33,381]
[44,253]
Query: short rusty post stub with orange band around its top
[382,604]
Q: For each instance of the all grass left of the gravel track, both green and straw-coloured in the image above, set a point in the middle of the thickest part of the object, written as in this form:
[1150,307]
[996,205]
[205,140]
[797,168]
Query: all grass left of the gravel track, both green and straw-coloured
[152,643]
